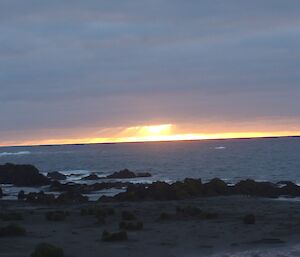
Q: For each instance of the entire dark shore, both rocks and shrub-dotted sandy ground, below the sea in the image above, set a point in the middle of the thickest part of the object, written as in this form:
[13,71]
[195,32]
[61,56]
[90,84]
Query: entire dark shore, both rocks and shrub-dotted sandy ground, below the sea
[180,219]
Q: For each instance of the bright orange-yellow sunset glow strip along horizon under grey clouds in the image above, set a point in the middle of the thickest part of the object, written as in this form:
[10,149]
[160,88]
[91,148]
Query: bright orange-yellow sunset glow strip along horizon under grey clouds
[148,133]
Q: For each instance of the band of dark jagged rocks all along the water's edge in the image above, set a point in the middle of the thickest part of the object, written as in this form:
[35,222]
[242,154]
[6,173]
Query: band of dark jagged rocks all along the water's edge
[25,175]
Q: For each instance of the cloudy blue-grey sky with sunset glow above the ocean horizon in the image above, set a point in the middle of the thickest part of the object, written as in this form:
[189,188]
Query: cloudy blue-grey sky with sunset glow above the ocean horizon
[100,71]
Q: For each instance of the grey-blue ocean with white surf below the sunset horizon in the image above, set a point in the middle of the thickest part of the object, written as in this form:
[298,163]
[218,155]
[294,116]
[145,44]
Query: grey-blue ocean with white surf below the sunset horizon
[271,159]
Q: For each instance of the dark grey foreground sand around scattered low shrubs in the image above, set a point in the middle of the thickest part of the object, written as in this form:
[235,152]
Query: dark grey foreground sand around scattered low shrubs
[277,226]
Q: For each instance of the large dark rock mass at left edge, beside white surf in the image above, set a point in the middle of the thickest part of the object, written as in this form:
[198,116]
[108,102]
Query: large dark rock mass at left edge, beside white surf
[22,175]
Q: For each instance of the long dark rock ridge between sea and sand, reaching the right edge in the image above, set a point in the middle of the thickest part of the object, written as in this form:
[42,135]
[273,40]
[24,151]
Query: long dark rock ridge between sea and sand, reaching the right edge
[190,188]
